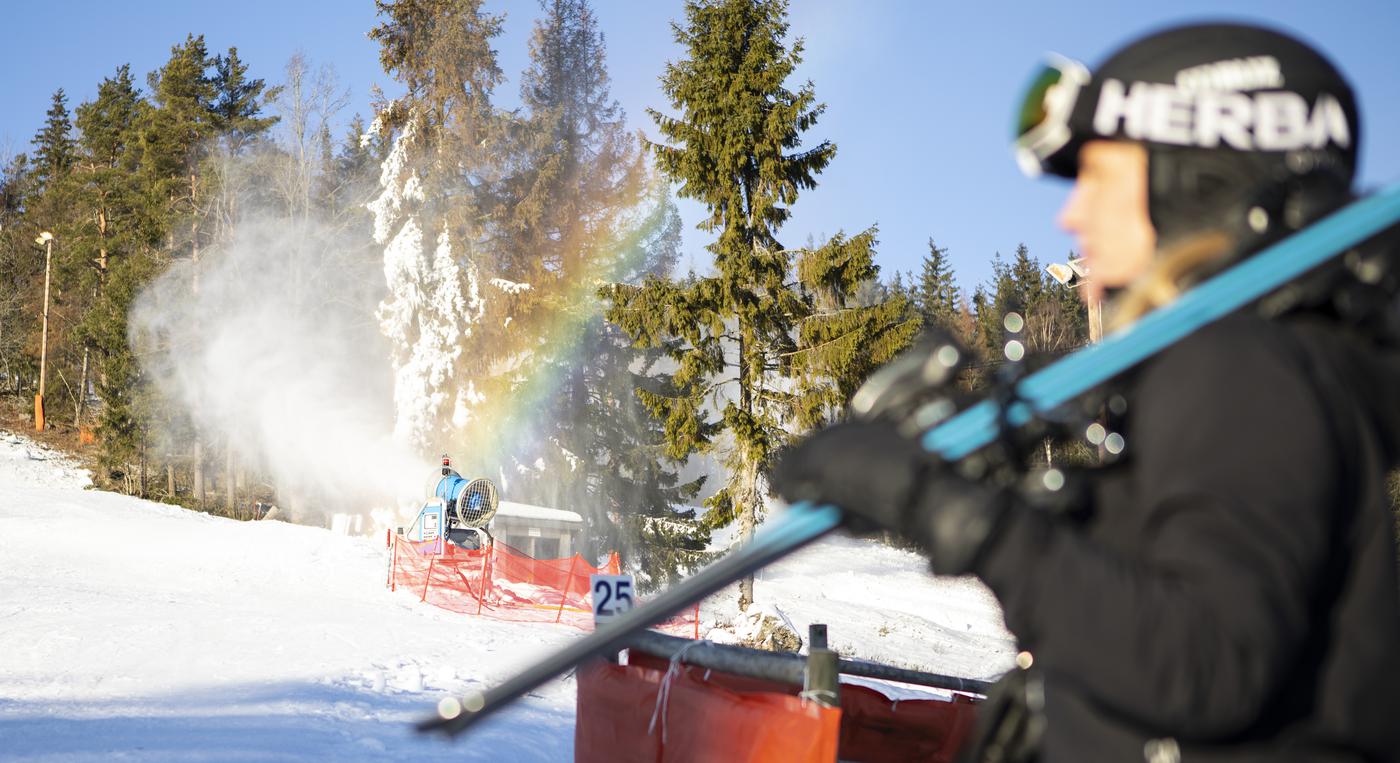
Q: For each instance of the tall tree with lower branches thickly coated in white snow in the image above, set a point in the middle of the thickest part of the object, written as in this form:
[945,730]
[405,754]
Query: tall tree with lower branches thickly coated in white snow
[444,328]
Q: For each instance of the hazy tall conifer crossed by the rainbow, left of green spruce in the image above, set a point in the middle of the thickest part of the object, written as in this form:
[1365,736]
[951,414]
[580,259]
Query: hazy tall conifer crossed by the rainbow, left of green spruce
[573,199]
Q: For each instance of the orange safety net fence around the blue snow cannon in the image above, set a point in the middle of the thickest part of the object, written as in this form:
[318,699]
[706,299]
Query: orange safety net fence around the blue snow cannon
[507,584]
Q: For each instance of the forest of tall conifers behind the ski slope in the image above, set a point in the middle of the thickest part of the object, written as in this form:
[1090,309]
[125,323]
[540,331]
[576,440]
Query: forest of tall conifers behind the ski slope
[502,283]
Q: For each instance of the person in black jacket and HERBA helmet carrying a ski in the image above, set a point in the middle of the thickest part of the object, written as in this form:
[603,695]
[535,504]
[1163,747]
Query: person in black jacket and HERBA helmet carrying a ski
[1227,590]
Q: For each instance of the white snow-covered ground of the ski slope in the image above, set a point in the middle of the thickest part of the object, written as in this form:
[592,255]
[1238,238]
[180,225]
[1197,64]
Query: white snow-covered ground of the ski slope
[145,632]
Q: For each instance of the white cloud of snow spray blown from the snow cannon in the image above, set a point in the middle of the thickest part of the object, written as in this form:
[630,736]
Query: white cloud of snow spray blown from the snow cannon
[269,344]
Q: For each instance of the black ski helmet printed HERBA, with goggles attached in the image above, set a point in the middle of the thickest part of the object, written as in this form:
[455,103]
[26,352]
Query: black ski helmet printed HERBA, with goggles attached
[1248,131]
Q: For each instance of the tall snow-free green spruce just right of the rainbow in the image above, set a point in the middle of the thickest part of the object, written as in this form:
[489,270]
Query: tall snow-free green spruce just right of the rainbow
[737,150]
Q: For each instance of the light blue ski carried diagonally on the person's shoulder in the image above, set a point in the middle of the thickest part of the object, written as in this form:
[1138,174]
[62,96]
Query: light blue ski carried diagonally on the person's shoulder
[968,432]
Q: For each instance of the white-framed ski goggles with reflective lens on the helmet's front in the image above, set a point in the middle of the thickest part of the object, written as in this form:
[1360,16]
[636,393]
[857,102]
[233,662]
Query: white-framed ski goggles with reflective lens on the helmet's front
[1044,121]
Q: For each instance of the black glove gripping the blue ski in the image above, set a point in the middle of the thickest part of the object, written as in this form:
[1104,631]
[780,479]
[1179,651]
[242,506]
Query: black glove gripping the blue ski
[883,479]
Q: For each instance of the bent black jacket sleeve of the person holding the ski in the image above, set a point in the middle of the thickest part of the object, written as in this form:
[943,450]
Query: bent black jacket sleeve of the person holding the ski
[1238,475]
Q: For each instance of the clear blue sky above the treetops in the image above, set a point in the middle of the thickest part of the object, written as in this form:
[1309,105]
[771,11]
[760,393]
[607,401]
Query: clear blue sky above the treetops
[919,93]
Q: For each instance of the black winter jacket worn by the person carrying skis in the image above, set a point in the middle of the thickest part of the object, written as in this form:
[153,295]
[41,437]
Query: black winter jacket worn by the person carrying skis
[1233,594]
